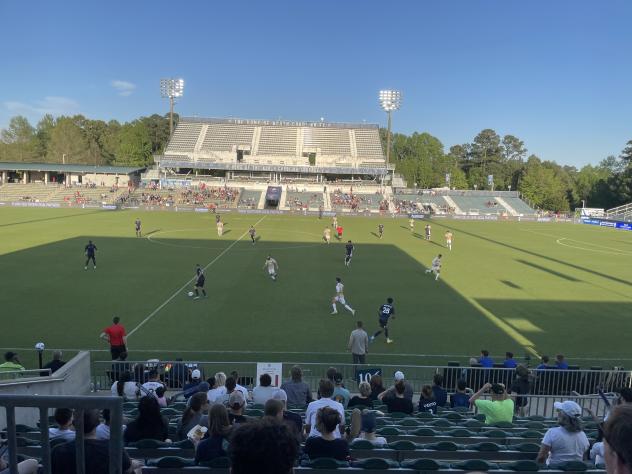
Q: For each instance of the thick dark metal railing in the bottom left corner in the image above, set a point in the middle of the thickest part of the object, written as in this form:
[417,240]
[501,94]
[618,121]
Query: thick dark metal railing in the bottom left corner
[79,404]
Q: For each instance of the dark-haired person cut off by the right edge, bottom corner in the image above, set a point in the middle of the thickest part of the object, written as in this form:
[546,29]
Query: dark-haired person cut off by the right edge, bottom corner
[617,434]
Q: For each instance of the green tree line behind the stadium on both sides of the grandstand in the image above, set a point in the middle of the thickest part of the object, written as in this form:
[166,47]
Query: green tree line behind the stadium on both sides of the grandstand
[420,158]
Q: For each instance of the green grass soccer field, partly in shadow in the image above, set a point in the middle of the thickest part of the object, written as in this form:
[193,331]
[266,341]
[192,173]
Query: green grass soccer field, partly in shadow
[526,287]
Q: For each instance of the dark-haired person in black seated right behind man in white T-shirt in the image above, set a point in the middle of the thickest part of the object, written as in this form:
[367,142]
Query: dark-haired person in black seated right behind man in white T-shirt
[327,445]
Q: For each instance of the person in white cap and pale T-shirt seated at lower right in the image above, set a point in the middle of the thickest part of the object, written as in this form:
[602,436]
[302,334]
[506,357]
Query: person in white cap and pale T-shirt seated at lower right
[566,442]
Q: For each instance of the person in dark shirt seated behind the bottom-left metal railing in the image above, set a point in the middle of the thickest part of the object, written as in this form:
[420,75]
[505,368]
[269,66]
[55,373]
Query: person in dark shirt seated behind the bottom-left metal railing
[97,455]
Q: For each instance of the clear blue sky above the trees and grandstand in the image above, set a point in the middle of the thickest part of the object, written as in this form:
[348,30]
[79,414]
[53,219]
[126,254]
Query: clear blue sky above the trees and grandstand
[555,73]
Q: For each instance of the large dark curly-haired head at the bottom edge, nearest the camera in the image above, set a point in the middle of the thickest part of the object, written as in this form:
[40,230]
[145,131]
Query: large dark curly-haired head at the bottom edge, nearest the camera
[264,447]
